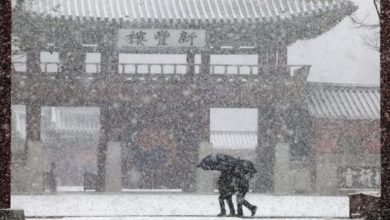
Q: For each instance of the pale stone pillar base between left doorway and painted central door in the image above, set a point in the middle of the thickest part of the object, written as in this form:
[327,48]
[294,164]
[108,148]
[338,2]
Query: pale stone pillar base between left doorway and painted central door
[113,178]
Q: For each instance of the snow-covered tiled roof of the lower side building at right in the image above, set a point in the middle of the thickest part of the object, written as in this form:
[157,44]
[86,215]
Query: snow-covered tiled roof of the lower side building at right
[332,101]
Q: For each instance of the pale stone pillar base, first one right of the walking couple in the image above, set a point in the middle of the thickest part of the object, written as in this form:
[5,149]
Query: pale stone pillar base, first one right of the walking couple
[282,177]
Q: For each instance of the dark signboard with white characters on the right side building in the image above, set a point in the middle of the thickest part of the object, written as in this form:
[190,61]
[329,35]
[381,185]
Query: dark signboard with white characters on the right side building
[359,177]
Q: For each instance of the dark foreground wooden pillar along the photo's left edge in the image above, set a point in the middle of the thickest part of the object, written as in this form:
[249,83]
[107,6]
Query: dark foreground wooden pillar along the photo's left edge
[5,105]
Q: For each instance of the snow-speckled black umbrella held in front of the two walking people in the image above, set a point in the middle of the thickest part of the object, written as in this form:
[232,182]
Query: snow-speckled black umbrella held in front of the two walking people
[220,162]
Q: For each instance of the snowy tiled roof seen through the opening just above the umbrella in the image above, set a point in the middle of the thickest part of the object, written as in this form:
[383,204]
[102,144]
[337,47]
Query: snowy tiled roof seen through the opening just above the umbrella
[233,139]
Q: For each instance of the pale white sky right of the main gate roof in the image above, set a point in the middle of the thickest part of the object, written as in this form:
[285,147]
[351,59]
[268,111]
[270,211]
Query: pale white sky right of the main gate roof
[340,55]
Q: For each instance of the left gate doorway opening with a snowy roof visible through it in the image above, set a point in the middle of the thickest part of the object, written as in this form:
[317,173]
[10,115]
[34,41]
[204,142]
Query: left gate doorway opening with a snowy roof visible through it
[70,137]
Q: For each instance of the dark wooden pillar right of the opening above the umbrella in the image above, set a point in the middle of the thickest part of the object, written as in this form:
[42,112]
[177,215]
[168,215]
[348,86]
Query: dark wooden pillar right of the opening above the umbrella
[265,149]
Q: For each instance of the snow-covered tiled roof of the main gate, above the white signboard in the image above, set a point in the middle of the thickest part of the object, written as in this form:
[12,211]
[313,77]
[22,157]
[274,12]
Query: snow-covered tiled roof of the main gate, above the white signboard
[186,10]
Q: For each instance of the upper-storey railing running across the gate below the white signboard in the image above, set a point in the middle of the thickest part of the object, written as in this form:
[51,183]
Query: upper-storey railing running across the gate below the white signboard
[91,69]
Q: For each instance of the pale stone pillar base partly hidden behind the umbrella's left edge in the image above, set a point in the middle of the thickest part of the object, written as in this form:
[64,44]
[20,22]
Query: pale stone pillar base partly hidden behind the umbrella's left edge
[204,179]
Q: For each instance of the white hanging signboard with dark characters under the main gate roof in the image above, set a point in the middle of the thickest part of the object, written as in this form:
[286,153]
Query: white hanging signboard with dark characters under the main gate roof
[161,38]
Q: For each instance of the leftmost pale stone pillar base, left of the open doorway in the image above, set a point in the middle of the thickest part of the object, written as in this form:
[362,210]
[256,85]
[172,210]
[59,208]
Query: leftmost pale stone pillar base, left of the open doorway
[32,179]
